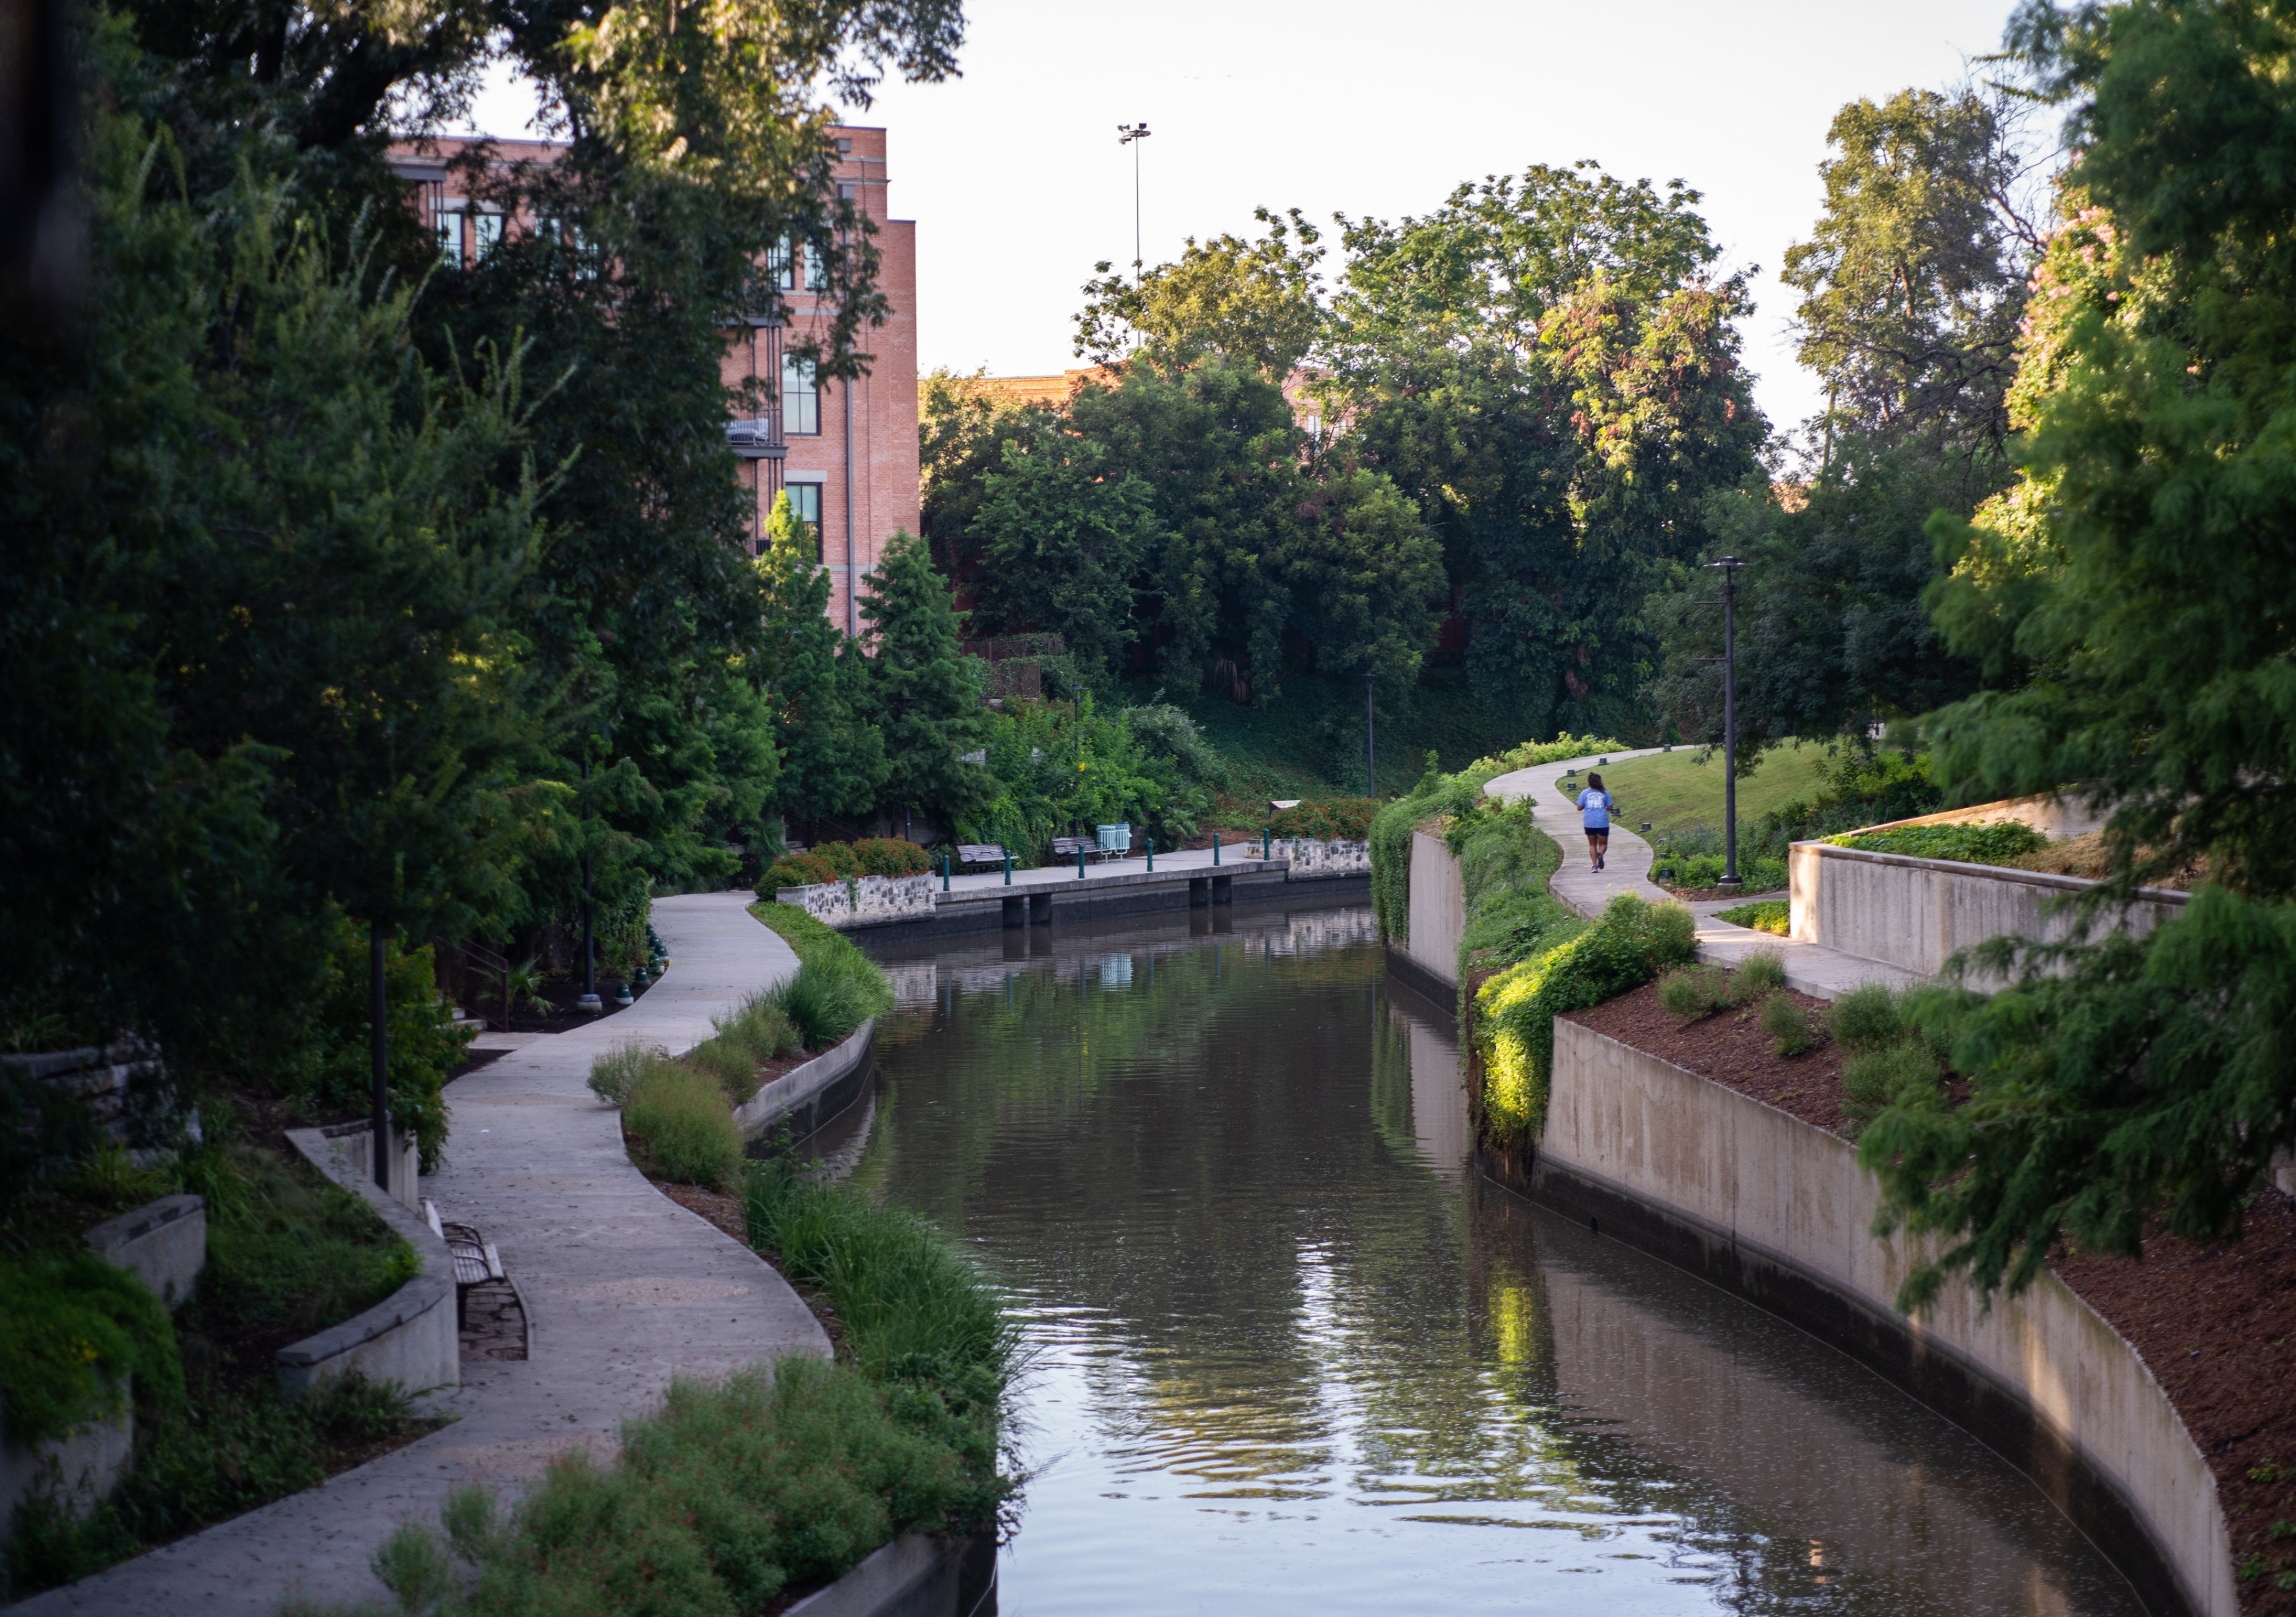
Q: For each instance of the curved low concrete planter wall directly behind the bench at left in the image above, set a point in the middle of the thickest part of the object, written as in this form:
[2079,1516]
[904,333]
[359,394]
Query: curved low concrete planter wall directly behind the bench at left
[412,1336]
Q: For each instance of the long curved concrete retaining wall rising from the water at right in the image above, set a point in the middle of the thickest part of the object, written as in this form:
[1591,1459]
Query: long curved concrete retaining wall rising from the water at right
[1778,1212]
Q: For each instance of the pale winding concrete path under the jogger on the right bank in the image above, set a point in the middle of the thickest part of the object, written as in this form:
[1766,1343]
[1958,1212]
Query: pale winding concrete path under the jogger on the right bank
[1627,869]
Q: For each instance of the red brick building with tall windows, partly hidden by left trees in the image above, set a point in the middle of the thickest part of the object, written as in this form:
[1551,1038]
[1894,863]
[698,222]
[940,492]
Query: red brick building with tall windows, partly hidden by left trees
[846,454]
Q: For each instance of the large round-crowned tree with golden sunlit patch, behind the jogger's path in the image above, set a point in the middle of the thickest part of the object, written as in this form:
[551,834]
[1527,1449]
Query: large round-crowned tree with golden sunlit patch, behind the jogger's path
[1544,371]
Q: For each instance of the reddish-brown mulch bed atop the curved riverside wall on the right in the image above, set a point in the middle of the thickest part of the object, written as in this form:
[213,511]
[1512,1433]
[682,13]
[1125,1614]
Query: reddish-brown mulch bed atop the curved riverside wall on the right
[2214,1322]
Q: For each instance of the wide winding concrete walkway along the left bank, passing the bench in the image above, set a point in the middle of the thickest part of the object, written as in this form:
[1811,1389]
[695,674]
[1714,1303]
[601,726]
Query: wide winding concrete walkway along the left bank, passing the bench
[621,1290]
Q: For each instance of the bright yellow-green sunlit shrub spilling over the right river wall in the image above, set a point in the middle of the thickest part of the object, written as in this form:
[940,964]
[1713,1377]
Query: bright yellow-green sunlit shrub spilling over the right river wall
[1514,1012]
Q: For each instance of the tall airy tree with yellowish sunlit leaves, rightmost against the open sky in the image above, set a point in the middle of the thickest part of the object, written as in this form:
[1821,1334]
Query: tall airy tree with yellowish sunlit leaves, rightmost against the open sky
[1914,284]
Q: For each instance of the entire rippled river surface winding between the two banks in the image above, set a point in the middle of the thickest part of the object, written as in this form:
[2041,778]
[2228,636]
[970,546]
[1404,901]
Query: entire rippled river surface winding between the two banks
[1294,1356]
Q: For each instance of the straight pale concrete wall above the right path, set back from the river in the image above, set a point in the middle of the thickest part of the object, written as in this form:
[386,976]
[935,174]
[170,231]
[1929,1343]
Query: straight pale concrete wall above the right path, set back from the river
[1918,913]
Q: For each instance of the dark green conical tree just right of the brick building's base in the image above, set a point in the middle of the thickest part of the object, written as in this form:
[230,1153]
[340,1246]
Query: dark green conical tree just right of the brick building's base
[922,697]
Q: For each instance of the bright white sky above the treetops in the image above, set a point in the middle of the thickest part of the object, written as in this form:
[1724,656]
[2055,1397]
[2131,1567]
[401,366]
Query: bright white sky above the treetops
[1021,185]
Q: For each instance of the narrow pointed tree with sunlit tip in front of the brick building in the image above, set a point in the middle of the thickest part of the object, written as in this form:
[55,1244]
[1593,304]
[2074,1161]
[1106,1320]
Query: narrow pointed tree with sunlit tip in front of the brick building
[832,757]
